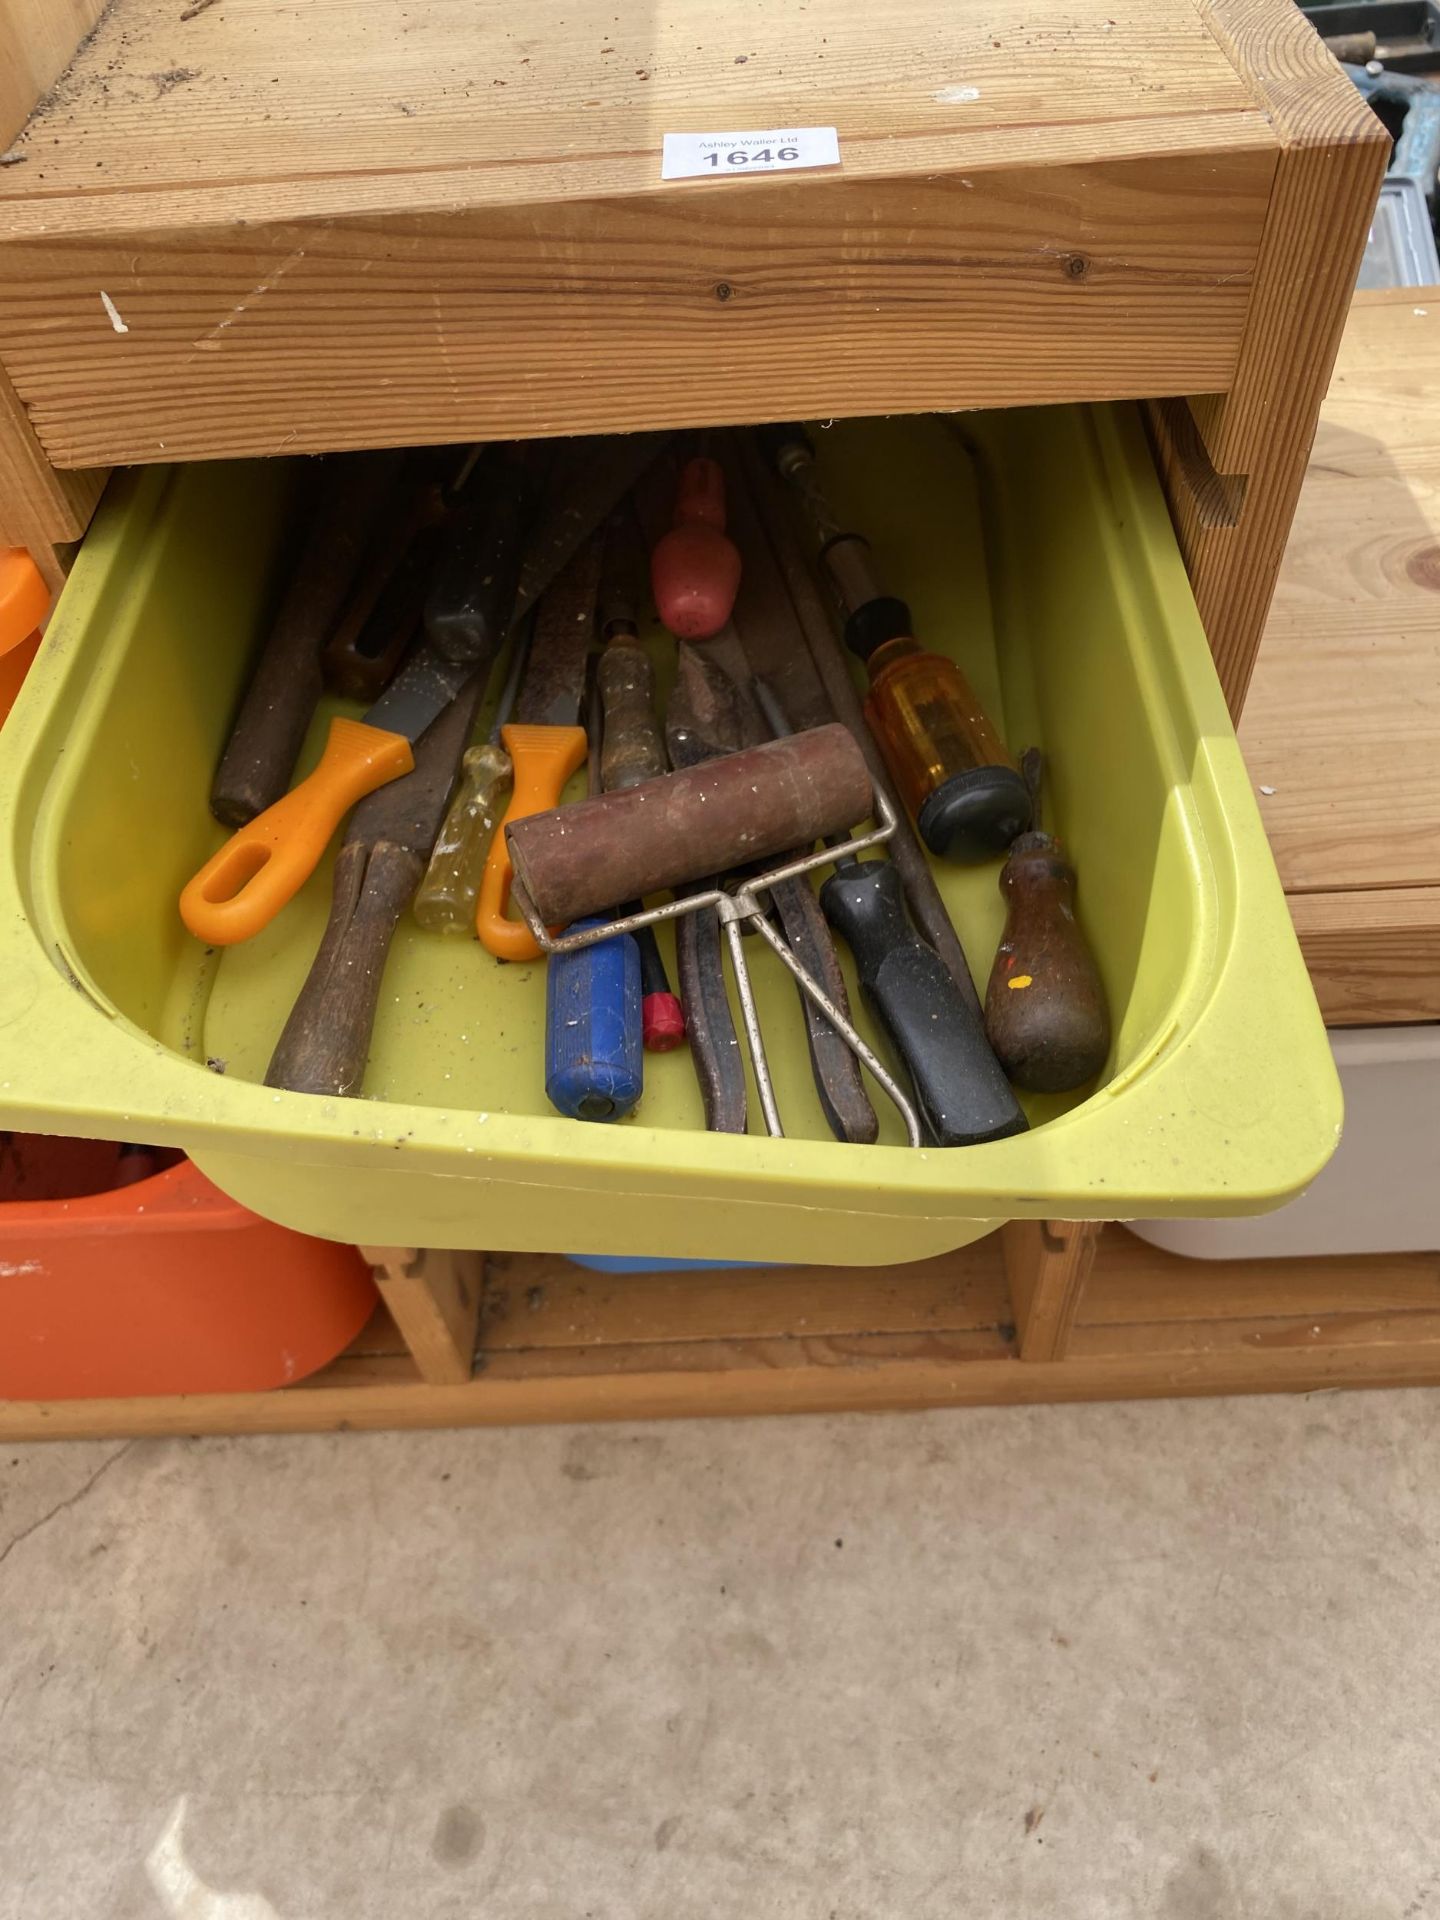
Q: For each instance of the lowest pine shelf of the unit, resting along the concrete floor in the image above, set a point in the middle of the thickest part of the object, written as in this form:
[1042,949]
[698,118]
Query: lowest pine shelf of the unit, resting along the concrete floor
[564,1345]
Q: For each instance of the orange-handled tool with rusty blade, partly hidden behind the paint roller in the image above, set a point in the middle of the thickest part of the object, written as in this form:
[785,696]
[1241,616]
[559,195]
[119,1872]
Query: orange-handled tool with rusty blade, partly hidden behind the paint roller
[546,740]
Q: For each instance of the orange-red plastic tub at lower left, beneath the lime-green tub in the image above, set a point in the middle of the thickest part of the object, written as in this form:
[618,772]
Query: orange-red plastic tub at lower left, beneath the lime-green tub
[164,1287]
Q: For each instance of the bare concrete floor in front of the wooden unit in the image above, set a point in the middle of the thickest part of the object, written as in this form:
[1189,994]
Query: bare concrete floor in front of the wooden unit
[1164,1662]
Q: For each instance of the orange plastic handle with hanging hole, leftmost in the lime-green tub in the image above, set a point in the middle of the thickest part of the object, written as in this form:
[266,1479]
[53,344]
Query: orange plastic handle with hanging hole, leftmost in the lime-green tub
[270,859]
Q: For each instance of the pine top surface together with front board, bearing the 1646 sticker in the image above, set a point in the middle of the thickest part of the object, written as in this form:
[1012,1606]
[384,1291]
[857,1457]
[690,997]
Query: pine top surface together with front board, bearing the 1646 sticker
[356,226]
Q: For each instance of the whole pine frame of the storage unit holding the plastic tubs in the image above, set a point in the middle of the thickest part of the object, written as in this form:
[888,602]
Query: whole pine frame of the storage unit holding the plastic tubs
[289,228]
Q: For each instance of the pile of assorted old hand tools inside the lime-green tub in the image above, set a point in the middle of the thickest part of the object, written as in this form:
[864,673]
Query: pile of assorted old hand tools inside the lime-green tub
[765,773]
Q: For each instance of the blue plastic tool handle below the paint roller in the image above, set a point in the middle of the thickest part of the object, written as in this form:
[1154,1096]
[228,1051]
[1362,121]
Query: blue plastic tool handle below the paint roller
[594,1047]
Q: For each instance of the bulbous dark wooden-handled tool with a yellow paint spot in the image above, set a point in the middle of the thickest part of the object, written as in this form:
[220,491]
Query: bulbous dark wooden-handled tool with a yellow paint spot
[1045,1007]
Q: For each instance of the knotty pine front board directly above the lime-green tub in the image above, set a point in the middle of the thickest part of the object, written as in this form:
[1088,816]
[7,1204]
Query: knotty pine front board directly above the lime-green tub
[1099,281]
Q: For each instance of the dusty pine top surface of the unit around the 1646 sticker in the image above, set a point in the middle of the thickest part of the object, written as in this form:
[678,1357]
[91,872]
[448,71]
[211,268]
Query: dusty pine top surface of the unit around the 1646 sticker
[343,107]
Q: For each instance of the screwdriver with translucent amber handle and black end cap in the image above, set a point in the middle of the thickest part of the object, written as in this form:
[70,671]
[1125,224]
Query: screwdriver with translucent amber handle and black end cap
[955,777]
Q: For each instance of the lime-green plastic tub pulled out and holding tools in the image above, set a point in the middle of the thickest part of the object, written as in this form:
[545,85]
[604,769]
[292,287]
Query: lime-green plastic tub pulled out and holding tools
[1038,548]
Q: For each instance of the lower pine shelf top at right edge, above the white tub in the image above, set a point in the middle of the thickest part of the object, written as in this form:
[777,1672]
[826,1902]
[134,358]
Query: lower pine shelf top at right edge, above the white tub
[1341,719]
